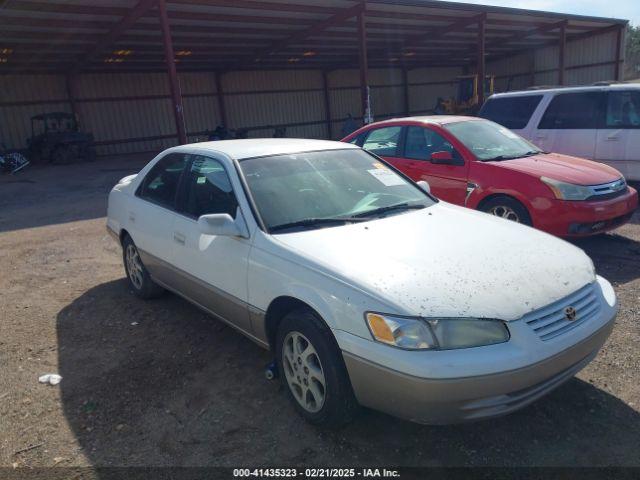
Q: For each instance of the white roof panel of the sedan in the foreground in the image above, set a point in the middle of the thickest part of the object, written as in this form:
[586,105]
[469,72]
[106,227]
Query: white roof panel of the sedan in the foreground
[260,147]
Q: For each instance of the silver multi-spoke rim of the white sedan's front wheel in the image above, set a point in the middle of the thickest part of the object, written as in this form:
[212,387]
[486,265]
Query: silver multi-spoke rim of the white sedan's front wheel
[303,371]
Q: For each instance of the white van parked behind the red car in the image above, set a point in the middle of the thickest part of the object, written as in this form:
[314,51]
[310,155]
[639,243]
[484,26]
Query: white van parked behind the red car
[600,123]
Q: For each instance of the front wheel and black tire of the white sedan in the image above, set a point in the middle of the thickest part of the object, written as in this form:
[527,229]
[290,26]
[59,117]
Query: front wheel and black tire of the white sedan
[302,375]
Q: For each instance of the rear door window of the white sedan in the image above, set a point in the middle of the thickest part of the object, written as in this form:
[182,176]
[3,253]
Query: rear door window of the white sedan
[161,183]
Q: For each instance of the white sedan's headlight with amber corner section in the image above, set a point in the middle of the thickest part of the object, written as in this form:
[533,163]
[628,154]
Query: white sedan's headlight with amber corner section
[435,333]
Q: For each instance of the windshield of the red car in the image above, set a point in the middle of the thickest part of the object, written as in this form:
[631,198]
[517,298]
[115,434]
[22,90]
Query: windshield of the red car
[490,141]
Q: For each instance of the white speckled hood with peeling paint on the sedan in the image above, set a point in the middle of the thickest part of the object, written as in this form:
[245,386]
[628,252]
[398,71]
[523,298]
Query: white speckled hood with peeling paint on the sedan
[448,261]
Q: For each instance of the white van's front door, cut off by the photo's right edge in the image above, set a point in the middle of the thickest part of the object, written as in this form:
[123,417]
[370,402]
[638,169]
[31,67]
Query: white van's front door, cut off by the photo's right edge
[618,142]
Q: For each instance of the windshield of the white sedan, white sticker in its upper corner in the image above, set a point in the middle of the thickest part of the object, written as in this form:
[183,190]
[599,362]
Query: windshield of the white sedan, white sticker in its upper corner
[327,188]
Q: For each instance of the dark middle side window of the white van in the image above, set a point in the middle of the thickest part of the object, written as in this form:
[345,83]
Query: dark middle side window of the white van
[583,110]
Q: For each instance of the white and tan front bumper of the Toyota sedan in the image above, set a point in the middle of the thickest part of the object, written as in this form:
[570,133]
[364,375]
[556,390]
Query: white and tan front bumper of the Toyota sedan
[525,373]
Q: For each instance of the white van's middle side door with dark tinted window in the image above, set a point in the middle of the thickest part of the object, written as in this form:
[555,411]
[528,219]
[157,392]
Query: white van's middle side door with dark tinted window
[570,123]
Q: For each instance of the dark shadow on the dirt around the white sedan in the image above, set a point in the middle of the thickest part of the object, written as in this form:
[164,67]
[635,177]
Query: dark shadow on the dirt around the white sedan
[160,383]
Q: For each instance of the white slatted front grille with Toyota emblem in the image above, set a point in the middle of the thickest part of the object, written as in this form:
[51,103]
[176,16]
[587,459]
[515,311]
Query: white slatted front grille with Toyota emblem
[551,321]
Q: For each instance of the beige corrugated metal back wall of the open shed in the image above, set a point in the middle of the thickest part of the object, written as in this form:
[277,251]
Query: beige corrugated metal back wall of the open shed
[132,112]
